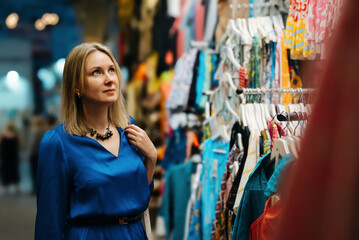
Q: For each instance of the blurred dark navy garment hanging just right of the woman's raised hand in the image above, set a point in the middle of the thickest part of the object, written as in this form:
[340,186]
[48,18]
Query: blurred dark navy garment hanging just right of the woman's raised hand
[176,149]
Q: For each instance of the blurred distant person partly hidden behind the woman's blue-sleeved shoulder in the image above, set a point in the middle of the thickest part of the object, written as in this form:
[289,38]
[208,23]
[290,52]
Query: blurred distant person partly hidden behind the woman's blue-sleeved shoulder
[38,129]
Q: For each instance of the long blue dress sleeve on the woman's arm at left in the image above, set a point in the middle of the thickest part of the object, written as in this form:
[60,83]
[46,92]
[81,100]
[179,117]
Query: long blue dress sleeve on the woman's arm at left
[53,188]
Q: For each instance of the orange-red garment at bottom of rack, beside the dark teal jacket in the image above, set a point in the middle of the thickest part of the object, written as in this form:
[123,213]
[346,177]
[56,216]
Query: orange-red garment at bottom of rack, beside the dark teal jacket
[265,227]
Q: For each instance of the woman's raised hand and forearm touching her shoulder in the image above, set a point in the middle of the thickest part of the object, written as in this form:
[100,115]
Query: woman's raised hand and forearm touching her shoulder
[139,138]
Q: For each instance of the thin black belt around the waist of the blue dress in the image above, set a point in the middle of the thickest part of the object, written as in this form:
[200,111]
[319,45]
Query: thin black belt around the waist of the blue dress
[100,221]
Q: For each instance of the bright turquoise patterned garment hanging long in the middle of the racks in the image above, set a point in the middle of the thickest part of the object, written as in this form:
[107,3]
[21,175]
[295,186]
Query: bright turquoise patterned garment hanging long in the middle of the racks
[214,165]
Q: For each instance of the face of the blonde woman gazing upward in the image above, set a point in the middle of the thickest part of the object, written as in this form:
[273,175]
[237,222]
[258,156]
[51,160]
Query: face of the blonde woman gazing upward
[101,81]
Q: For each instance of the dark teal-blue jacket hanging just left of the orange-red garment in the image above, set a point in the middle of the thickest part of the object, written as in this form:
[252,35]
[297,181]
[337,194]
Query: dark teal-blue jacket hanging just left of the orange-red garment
[253,199]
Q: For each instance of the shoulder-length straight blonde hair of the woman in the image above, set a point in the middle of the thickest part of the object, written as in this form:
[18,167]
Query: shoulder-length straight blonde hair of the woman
[73,77]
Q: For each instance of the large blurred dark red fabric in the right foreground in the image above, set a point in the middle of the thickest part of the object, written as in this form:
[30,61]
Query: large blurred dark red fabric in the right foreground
[321,195]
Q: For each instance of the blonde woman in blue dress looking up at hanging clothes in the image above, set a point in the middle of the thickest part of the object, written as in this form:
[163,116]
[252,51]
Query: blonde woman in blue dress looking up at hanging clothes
[95,169]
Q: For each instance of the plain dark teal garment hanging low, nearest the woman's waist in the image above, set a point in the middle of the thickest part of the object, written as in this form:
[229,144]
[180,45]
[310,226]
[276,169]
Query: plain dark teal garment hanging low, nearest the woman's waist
[175,199]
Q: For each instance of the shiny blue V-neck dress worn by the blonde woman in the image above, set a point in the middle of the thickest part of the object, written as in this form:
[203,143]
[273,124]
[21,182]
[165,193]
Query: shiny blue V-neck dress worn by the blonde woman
[78,177]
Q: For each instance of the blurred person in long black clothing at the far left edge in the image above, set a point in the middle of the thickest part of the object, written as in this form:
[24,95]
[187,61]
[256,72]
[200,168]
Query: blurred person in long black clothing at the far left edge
[9,148]
